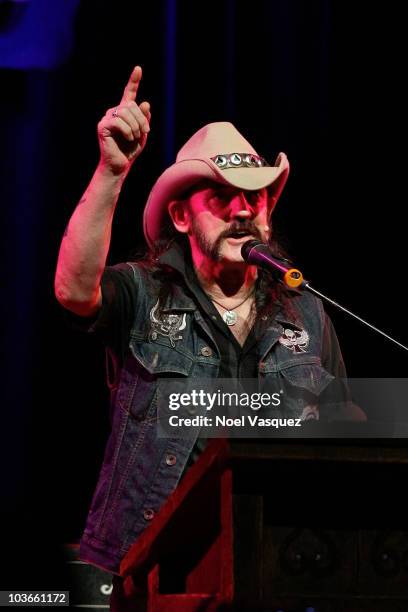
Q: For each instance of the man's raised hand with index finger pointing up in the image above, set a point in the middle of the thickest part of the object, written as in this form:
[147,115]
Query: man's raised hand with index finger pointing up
[123,131]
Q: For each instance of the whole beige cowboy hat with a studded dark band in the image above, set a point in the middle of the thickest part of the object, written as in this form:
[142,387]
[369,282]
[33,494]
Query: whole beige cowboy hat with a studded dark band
[220,153]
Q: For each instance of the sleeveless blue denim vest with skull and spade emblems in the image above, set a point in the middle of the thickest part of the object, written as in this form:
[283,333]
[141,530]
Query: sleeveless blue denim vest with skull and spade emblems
[140,471]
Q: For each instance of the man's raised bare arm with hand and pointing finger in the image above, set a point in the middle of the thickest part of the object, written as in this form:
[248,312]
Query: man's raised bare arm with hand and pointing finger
[122,135]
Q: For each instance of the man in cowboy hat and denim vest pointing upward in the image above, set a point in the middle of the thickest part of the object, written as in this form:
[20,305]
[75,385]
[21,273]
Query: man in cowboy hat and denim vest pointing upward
[194,308]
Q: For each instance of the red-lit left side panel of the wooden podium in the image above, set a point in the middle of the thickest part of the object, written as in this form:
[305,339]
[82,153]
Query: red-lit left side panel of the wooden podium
[185,557]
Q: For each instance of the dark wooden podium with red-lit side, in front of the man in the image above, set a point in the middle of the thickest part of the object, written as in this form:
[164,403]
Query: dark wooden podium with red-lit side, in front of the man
[279,524]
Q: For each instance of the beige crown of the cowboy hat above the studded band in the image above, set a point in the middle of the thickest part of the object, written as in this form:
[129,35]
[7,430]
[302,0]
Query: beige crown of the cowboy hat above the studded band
[214,139]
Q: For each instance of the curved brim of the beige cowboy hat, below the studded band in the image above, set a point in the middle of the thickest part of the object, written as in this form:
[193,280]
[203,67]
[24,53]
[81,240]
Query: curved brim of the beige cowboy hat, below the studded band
[179,177]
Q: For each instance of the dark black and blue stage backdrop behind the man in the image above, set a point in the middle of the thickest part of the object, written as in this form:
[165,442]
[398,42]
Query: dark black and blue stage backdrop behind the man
[322,81]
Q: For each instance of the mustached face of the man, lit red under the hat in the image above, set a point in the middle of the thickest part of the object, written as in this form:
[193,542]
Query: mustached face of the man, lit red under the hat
[222,218]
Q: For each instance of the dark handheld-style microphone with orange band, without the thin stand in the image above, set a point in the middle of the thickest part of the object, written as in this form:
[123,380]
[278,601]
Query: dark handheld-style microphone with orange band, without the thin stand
[259,254]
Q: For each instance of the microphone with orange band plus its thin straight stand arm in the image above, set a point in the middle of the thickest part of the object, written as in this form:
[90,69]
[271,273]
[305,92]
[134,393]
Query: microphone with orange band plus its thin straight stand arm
[258,253]
